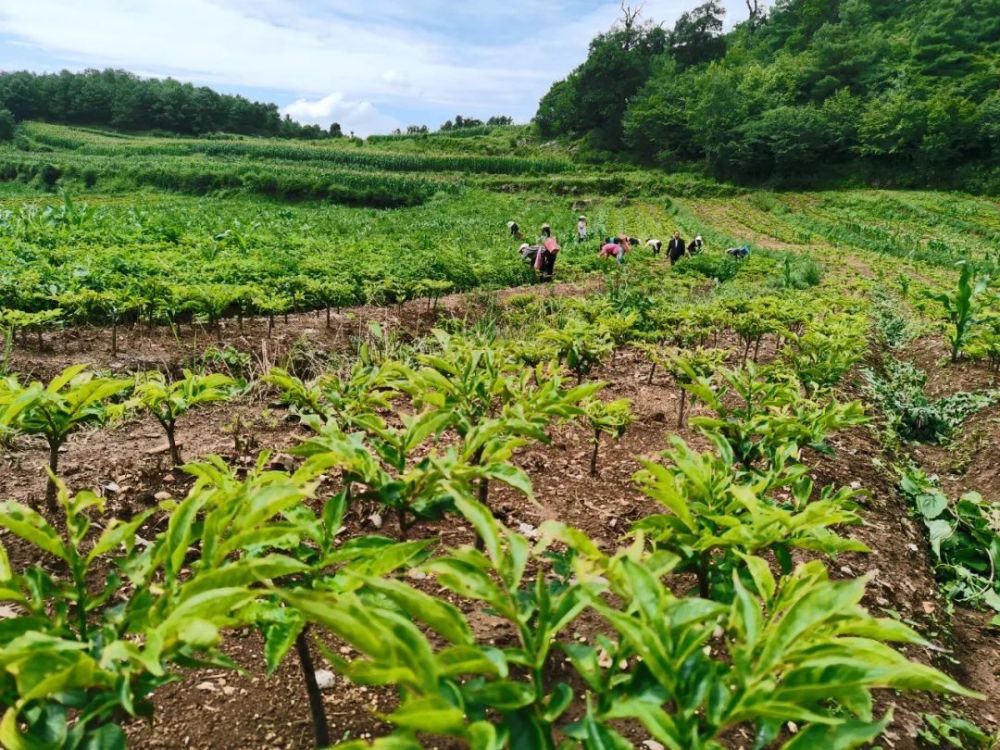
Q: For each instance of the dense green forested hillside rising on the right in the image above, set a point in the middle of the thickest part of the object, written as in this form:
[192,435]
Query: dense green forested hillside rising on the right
[905,90]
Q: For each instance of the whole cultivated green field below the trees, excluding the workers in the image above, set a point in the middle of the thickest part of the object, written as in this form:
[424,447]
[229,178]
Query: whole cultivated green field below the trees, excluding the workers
[645,503]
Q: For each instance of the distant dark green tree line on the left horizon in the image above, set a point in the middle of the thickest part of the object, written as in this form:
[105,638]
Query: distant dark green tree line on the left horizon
[123,100]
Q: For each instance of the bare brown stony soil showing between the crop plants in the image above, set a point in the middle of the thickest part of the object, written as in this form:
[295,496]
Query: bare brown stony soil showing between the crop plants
[223,710]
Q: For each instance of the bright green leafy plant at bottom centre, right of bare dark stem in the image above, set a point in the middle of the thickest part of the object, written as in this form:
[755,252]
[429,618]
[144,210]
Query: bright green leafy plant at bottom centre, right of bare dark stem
[491,696]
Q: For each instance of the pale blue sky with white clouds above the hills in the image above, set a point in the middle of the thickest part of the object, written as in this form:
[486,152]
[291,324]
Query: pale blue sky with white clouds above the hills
[371,65]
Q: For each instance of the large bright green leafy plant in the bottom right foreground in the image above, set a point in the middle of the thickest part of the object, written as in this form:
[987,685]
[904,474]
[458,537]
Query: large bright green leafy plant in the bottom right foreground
[798,649]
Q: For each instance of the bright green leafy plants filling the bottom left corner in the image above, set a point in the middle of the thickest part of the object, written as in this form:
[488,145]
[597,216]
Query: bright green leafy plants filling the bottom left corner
[105,618]
